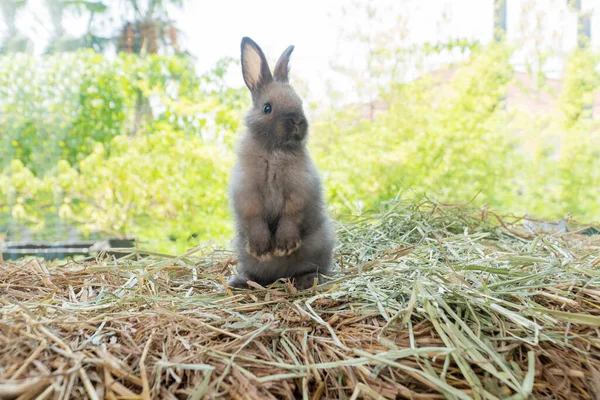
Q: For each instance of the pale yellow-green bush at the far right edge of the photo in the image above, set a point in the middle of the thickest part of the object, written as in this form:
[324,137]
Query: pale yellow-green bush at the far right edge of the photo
[562,172]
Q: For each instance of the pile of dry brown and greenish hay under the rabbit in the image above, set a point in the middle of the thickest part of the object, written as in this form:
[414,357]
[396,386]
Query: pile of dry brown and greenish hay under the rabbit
[430,302]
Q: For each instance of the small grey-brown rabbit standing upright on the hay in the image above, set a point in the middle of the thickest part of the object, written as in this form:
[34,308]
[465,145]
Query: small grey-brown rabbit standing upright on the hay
[282,227]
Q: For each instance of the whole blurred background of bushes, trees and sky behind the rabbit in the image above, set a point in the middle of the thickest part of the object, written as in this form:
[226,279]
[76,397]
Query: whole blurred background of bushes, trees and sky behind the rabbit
[119,118]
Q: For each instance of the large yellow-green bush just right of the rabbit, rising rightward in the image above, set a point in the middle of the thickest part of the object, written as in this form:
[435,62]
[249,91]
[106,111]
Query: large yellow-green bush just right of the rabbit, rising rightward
[435,138]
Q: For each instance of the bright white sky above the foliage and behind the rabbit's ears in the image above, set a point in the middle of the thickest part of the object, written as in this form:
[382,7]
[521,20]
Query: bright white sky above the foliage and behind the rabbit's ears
[213,29]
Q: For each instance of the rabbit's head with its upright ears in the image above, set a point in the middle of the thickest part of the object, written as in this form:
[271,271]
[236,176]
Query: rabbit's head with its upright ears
[276,118]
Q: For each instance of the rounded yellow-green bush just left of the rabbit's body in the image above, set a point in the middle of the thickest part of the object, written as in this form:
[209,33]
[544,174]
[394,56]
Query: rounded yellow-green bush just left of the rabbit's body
[166,187]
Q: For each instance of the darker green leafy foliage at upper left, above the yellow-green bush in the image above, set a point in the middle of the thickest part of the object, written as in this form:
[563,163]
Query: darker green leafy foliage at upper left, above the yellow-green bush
[60,106]
